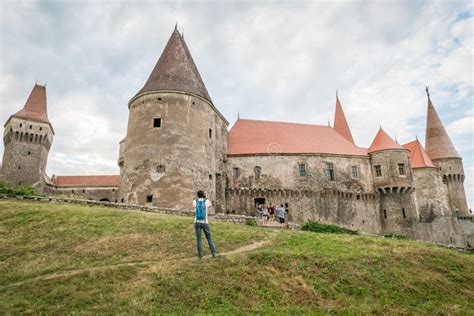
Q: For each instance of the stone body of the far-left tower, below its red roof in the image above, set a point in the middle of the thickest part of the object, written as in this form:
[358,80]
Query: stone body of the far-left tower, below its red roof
[27,145]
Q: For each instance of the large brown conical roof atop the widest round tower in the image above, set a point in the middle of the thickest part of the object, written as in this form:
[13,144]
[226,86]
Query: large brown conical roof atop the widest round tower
[175,70]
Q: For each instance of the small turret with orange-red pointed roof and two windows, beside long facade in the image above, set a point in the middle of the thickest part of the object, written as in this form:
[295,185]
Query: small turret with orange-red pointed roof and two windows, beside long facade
[393,180]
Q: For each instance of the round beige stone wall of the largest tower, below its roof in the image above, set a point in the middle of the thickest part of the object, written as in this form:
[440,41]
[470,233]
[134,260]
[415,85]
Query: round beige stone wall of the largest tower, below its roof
[171,162]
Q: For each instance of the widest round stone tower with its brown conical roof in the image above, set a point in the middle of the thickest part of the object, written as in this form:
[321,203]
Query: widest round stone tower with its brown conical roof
[176,140]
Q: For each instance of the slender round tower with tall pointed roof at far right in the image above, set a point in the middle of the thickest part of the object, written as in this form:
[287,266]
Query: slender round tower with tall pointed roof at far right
[443,154]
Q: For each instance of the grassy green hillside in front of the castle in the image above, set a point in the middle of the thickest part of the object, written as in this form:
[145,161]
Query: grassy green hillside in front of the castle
[59,258]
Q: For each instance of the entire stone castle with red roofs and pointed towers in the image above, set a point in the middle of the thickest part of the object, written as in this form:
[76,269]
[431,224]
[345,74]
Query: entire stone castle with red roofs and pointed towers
[178,142]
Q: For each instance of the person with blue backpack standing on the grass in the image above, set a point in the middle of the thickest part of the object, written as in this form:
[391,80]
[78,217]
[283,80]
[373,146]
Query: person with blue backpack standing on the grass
[201,207]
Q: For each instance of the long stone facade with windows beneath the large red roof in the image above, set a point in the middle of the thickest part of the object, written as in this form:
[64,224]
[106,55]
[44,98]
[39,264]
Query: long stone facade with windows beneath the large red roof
[347,201]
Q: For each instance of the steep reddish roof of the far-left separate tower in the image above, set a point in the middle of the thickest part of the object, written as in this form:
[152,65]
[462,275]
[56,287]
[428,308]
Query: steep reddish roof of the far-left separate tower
[35,107]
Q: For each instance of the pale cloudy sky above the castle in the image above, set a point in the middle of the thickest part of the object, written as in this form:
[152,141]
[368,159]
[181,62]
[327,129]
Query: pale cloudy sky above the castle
[268,60]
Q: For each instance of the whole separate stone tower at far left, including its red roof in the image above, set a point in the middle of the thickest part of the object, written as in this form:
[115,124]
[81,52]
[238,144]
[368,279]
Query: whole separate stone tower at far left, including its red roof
[28,137]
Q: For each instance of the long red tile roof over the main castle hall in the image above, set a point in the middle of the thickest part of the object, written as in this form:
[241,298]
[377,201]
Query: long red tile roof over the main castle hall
[266,137]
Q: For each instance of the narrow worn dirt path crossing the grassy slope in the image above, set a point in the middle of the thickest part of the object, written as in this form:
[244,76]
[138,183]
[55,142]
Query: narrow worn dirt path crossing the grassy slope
[245,248]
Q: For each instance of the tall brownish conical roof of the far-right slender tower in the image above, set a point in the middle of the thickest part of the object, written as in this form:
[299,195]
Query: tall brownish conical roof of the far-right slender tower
[437,143]
